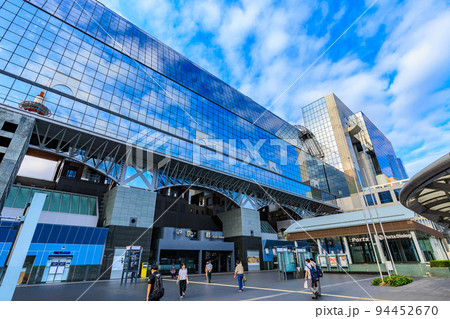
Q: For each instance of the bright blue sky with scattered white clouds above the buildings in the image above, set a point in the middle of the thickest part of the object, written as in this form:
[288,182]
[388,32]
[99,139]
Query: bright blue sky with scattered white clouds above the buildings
[393,64]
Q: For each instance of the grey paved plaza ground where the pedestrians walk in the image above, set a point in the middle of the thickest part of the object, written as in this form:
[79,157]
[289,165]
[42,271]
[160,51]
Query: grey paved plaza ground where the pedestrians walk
[264,286]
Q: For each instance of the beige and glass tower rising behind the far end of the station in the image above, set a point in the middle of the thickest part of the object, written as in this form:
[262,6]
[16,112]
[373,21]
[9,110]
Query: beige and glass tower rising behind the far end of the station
[352,143]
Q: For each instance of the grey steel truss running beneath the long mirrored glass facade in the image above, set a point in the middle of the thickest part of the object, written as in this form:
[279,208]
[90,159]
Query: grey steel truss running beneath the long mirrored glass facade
[112,158]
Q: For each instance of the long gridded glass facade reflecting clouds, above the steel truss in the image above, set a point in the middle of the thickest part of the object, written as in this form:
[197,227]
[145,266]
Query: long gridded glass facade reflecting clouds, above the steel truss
[106,76]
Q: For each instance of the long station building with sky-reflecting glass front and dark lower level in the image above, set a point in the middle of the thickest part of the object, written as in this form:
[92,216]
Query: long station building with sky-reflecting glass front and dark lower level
[163,148]
